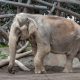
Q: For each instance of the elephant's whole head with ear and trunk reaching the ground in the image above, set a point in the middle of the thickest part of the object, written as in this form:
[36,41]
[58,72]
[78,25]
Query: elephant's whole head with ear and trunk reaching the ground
[21,29]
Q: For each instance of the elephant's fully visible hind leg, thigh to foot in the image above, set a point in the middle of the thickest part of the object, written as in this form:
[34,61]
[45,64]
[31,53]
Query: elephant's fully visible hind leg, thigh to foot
[71,54]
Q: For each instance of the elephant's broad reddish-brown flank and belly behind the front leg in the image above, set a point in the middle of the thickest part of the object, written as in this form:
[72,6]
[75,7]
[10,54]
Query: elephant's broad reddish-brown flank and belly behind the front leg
[63,33]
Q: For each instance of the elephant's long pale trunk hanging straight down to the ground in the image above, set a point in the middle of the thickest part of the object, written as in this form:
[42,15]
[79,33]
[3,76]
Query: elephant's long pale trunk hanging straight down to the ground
[12,49]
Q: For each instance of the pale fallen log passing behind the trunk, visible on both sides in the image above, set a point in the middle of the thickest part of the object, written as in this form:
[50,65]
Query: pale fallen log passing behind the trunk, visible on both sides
[5,62]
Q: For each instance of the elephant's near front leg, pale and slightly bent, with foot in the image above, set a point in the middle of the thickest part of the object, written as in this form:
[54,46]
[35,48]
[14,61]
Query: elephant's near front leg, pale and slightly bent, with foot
[38,60]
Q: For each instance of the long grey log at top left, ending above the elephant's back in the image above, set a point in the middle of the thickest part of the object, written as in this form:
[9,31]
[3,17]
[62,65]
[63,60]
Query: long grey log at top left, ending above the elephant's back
[24,5]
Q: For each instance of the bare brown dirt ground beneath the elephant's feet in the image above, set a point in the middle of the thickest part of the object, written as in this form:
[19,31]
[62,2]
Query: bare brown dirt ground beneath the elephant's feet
[53,73]
